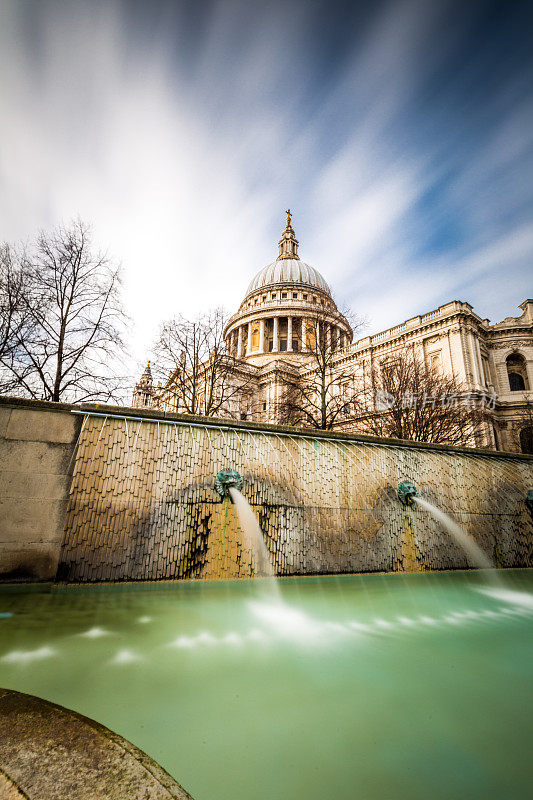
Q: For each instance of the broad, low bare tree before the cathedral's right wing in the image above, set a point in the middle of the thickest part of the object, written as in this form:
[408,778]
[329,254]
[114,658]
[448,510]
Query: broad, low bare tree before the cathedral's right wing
[404,398]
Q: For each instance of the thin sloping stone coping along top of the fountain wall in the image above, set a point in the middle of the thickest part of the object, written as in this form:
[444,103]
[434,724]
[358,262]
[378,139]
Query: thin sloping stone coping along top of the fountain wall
[226,422]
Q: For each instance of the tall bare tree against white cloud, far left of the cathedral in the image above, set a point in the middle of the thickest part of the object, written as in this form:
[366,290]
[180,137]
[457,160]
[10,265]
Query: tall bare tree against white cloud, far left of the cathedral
[71,334]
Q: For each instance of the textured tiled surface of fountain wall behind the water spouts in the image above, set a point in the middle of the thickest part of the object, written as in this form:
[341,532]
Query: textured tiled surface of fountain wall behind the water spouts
[142,504]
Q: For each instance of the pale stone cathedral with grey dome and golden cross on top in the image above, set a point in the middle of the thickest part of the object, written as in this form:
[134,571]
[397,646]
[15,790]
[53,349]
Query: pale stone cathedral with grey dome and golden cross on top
[272,333]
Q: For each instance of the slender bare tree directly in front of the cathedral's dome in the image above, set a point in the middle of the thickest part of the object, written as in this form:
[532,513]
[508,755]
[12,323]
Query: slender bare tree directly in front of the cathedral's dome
[314,395]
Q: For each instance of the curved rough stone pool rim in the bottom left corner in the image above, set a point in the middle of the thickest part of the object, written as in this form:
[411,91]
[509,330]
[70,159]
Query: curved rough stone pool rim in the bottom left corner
[48,752]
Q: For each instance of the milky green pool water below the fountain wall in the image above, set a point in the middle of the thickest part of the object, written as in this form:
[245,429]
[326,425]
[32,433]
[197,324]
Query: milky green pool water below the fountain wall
[381,686]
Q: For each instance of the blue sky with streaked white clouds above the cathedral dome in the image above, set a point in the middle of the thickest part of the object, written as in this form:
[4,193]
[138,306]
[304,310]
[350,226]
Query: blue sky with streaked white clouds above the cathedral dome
[399,133]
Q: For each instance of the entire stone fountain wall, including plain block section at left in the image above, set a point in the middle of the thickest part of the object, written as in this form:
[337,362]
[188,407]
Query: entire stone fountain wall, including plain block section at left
[142,504]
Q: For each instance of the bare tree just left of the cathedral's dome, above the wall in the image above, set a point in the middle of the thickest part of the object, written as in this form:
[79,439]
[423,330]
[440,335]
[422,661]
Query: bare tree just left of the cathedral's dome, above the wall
[202,376]
